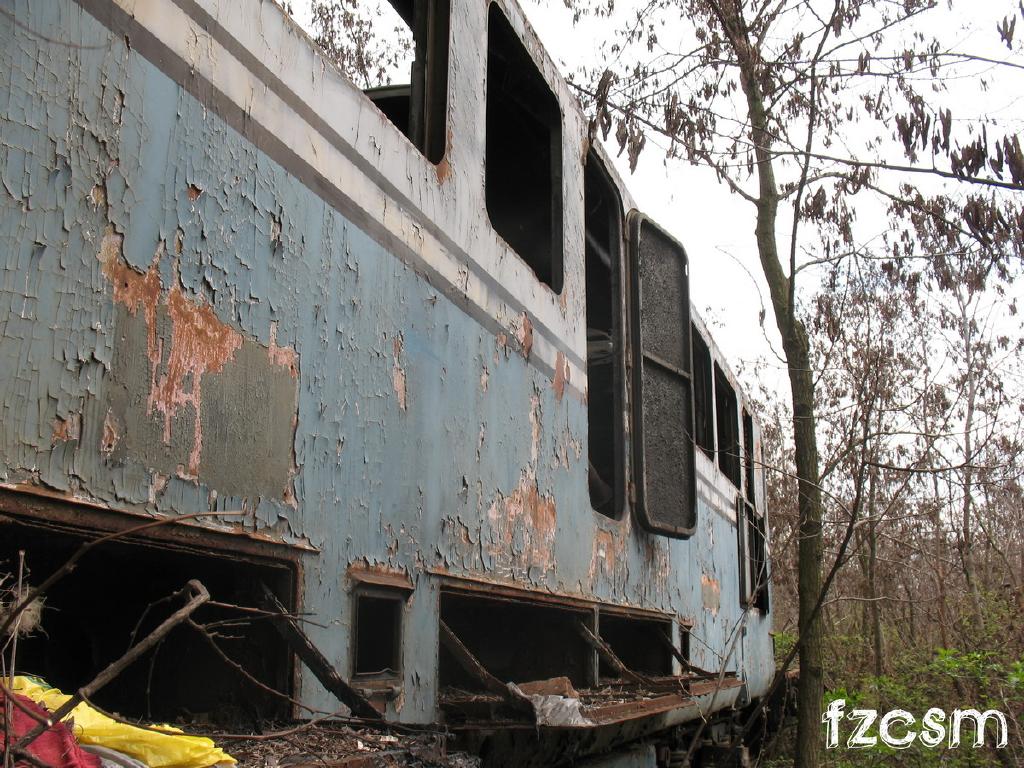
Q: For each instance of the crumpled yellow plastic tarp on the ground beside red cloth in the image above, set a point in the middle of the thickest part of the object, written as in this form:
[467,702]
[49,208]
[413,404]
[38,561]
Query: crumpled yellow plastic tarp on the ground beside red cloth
[169,750]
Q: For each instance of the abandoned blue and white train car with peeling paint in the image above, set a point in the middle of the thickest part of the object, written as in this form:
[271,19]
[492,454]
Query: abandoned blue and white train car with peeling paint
[409,357]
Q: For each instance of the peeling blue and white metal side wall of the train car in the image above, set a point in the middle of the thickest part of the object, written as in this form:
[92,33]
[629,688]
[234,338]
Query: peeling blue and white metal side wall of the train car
[200,314]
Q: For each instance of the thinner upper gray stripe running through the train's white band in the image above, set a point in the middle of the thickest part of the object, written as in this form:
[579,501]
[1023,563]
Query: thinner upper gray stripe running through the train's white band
[258,68]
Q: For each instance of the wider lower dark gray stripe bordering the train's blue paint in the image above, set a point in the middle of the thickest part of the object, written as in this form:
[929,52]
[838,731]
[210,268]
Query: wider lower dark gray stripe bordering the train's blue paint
[115,19]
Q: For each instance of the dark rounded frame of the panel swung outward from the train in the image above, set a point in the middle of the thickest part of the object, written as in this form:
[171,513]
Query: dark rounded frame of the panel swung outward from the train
[659,520]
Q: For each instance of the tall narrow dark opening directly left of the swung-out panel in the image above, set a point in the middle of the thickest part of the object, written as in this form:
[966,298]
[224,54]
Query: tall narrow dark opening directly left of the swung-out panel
[605,339]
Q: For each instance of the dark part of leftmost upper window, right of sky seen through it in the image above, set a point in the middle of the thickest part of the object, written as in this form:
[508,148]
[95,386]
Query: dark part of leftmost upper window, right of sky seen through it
[419,108]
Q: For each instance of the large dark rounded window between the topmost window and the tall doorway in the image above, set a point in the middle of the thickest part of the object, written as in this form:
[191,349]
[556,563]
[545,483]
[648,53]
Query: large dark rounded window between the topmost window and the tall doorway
[524,175]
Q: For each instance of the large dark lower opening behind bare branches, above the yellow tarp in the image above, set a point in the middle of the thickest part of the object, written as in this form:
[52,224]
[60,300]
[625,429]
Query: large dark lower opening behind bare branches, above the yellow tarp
[89,619]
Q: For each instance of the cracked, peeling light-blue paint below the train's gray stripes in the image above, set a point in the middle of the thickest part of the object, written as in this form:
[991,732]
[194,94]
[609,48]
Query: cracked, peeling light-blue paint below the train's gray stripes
[460,472]
